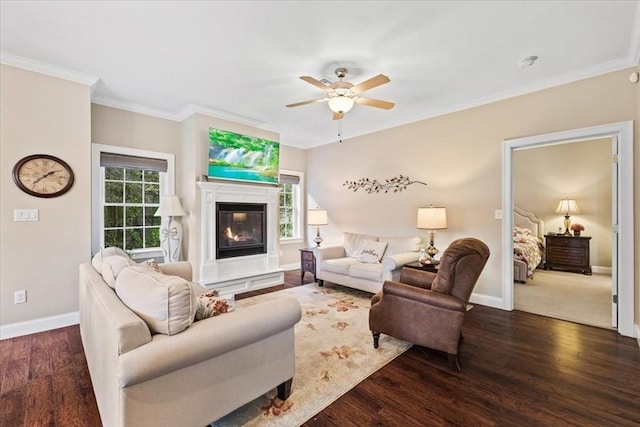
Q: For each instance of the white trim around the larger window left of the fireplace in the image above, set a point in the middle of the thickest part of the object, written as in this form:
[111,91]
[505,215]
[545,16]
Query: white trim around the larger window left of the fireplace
[167,184]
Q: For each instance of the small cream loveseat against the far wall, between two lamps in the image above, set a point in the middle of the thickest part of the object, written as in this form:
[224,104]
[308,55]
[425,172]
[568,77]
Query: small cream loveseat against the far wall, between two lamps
[364,261]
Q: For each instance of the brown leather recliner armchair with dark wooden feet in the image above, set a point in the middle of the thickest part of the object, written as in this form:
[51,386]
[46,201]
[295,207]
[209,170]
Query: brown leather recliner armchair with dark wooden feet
[427,308]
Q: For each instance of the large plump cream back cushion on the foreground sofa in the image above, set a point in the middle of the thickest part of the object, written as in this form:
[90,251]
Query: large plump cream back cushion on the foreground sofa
[166,303]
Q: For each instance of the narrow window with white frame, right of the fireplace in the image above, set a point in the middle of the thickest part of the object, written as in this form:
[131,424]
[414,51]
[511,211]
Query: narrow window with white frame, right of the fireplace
[290,205]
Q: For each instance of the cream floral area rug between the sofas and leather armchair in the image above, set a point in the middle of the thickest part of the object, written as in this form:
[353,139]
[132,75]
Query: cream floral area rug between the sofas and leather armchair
[334,352]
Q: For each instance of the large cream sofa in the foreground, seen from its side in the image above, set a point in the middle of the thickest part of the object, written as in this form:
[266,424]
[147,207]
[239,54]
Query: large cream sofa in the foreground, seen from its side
[188,377]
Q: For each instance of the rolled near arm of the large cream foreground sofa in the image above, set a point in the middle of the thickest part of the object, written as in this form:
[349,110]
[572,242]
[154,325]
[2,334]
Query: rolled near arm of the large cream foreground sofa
[207,339]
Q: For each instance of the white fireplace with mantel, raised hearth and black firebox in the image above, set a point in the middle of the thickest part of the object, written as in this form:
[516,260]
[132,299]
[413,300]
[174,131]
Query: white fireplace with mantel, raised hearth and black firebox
[239,237]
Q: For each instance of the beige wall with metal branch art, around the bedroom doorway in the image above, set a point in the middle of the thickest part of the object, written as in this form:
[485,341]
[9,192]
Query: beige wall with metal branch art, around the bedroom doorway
[459,156]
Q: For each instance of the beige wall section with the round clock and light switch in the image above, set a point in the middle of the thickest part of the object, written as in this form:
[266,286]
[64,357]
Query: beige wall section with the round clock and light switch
[43,115]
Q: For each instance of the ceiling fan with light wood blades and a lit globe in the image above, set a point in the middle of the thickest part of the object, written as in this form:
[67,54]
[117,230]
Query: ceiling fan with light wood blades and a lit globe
[341,95]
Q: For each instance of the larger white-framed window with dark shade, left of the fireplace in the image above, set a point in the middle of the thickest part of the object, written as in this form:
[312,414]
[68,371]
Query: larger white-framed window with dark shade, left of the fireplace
[127,188]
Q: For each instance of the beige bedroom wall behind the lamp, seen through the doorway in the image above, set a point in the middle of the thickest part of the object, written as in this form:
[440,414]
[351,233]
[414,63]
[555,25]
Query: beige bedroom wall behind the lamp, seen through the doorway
[581,171]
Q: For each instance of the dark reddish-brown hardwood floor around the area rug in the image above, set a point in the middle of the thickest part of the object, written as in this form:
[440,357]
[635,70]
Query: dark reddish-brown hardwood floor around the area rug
[518,369]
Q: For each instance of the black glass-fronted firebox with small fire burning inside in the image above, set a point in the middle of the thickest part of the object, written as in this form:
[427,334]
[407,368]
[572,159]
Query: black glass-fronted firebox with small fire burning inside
[241,229]
